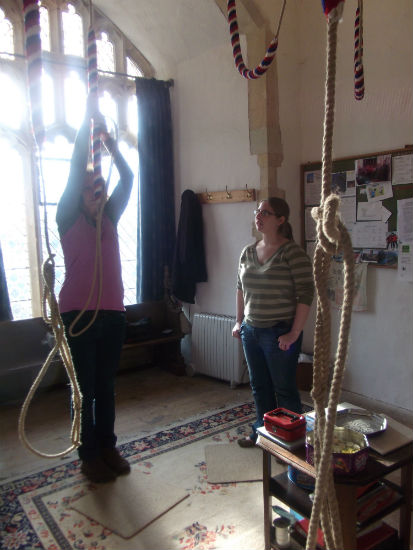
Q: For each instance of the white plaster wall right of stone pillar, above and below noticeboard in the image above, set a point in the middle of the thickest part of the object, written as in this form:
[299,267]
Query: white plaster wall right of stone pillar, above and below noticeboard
[380,350]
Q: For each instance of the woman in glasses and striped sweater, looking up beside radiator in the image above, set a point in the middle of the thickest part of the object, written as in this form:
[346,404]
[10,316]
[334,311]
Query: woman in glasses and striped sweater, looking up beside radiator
[275,290]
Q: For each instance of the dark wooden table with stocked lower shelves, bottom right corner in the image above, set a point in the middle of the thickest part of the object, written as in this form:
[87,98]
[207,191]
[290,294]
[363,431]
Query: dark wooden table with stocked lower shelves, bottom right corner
[351,492]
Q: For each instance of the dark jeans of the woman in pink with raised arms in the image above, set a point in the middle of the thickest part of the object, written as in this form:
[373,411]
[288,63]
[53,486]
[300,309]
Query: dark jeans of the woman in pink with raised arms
[96,355]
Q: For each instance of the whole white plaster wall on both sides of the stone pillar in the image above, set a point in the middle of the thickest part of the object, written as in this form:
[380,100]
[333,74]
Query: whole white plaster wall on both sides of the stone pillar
[212,151]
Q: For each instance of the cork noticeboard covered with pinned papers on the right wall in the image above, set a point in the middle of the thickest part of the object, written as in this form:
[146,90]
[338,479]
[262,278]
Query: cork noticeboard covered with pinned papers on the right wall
[370,187]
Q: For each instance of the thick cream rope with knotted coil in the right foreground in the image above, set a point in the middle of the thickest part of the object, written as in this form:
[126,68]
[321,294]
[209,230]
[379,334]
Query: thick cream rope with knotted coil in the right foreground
[332,237]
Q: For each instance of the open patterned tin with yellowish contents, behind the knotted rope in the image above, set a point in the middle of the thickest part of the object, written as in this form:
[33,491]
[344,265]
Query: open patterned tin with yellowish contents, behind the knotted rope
[350,451]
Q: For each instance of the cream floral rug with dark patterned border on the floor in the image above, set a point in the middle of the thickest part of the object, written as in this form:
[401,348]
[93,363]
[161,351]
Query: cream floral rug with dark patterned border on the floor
[37,512]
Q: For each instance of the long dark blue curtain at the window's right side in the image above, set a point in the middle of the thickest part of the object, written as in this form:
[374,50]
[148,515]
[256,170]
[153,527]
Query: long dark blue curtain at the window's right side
[156,213]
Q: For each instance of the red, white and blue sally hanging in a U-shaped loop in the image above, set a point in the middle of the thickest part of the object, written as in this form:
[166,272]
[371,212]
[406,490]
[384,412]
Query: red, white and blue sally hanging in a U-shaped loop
[250,74]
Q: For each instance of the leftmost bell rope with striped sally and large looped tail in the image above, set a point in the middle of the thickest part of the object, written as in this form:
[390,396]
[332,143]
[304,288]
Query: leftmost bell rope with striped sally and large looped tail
[34,72]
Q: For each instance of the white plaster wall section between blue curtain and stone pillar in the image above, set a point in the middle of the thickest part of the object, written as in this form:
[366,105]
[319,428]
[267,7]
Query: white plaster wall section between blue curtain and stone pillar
[212,152]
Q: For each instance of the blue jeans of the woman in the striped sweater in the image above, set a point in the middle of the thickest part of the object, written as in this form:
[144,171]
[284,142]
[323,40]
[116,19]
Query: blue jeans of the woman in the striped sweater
[272,371]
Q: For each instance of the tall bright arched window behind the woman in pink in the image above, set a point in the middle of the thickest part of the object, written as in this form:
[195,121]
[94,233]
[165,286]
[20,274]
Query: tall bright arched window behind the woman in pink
[25,201]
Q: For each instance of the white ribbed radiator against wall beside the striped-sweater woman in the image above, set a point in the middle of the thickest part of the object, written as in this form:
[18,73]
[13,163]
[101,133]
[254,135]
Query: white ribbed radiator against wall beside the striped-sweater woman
[215,351]
